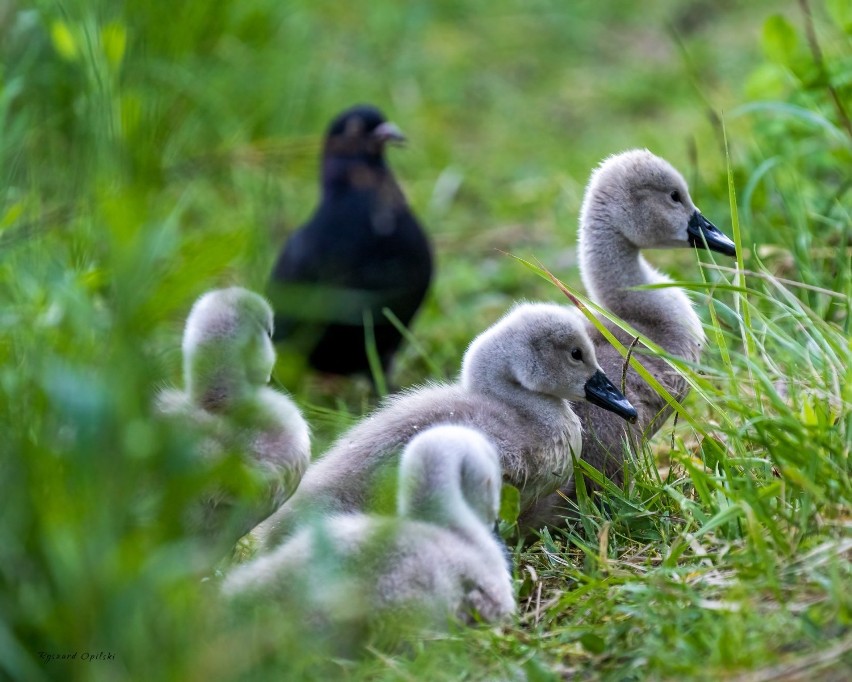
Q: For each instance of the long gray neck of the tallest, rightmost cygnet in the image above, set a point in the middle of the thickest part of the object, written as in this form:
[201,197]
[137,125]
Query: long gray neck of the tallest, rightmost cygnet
[610,265]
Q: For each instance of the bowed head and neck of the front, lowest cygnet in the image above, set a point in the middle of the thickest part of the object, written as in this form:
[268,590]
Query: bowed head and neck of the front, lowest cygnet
[442,462]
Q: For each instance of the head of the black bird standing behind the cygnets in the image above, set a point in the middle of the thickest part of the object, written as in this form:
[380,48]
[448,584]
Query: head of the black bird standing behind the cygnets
[361,132]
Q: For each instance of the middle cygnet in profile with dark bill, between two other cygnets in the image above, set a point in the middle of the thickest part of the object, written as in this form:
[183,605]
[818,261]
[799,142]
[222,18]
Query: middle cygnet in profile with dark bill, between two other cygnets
[516,380]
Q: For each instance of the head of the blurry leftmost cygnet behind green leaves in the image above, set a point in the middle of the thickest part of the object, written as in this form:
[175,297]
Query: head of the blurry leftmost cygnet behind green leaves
[227,345]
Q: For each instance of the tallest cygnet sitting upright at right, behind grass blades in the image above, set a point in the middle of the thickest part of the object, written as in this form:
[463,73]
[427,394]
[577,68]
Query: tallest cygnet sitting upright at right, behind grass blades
[634,201]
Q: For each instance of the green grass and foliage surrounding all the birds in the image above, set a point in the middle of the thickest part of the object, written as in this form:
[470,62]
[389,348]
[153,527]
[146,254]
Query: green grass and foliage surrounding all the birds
[149,152]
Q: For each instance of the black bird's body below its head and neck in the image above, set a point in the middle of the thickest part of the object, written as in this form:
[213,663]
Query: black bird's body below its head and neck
[361,252]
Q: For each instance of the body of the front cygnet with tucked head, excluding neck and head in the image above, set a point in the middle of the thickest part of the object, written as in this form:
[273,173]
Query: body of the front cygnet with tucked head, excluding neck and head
[354,567]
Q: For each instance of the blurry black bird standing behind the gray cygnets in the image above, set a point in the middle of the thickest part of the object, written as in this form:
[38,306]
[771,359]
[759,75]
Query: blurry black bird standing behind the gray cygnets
[362,251]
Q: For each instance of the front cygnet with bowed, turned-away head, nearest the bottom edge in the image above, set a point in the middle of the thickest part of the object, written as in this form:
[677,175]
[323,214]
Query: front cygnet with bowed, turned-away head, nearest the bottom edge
[437,559]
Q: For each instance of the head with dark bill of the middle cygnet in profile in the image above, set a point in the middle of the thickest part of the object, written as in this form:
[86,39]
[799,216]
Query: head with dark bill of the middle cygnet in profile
[544,349]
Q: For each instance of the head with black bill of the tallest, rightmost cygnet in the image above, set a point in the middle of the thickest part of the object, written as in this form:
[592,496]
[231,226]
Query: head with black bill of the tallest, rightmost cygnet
[648,202]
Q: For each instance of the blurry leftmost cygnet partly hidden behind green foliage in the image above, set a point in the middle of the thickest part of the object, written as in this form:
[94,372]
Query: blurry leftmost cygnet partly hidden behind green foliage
[227,362]
